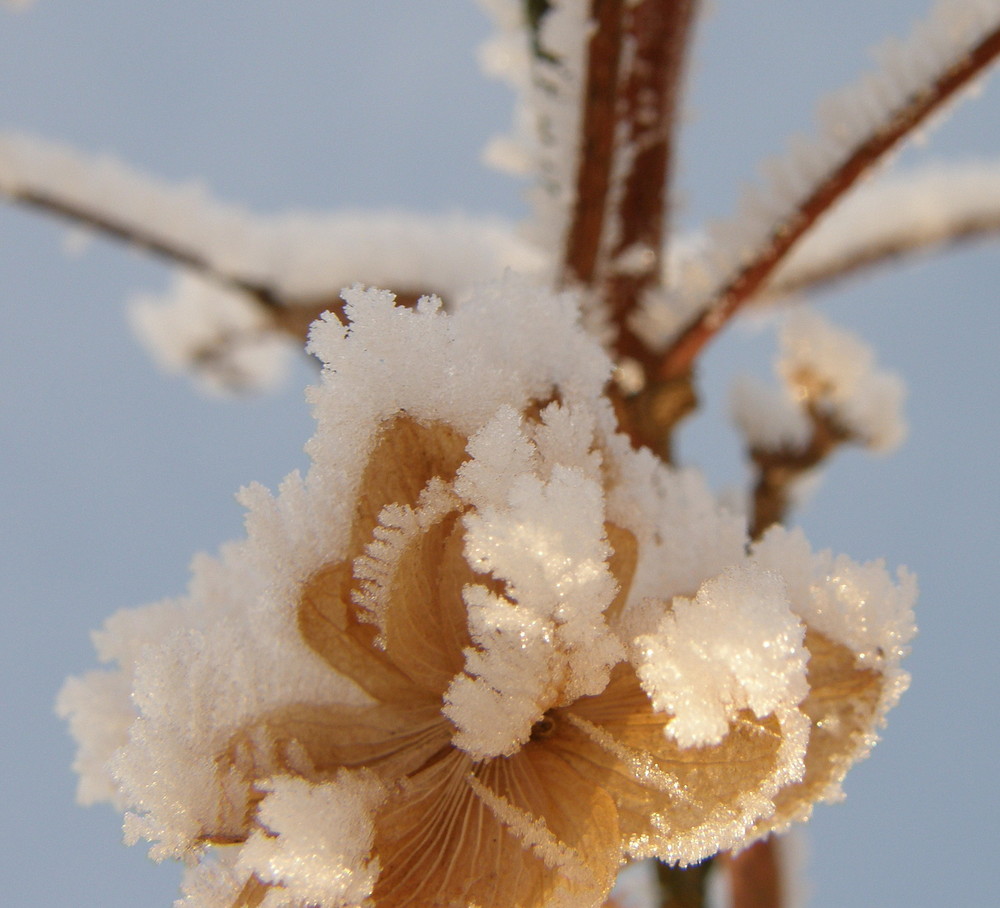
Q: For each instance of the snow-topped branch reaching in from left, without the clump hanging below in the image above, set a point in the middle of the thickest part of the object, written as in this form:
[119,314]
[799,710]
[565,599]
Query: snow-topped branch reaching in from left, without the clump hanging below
[290,262]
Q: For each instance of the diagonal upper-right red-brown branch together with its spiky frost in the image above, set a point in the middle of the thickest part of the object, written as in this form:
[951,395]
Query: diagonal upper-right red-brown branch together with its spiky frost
[860,126]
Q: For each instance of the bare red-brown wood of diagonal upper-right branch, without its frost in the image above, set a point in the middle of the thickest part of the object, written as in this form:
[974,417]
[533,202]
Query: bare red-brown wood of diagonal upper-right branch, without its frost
[853,165]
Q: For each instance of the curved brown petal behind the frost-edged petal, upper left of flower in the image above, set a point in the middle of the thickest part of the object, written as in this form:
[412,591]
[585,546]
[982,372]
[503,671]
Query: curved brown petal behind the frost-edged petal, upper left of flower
[406,457]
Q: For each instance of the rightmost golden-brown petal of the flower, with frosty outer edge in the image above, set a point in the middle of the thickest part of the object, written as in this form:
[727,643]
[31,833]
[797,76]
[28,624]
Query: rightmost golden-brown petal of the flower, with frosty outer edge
[842,706]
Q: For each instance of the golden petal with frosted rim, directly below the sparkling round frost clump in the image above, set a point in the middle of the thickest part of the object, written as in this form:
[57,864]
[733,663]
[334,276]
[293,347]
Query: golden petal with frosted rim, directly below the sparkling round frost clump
[680,804]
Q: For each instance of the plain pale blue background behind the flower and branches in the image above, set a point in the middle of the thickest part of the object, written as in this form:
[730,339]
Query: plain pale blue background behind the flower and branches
[113,476]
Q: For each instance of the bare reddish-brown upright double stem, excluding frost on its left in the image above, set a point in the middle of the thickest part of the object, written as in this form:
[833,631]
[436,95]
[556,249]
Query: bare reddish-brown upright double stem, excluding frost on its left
[614,244]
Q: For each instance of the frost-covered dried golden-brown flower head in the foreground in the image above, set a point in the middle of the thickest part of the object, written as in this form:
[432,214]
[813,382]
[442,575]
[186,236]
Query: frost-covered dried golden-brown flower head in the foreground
[484,652]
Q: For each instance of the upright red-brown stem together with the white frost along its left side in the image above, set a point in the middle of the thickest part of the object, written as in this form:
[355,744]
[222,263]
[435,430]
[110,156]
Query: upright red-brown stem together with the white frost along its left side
[595,124]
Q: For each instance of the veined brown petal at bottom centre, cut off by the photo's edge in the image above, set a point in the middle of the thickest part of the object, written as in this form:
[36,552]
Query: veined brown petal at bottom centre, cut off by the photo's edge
[441,844]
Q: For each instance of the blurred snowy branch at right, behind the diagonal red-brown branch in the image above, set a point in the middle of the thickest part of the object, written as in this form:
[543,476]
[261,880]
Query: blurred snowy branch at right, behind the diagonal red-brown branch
[899,217]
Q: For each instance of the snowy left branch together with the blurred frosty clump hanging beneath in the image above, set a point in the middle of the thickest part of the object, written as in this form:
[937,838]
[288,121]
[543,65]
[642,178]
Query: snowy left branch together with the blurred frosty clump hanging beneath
[251,282]
